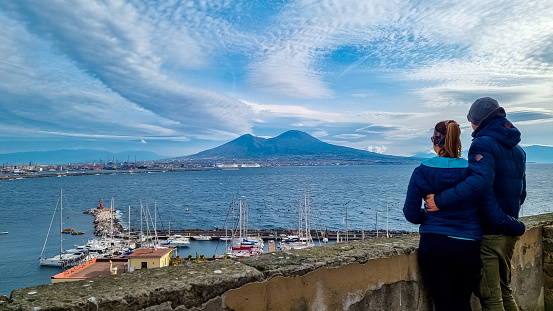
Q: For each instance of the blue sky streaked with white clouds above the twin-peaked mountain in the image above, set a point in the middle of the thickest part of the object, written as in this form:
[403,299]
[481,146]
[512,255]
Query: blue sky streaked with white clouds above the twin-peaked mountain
[178,77]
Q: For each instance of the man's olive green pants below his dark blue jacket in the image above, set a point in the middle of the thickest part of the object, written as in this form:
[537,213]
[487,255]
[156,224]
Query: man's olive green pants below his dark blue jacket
[495,291]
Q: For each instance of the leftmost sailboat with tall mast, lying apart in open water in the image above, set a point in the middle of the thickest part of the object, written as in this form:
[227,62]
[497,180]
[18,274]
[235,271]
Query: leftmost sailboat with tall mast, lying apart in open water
[64,258]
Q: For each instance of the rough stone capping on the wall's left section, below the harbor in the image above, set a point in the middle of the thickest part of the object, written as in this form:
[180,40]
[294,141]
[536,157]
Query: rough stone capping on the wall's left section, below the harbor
[189,285]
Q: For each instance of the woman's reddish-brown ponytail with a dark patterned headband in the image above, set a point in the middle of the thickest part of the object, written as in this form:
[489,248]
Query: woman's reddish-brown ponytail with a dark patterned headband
[447,136]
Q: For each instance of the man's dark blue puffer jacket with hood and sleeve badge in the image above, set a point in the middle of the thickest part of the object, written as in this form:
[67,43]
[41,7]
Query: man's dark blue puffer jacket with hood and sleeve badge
[497,162]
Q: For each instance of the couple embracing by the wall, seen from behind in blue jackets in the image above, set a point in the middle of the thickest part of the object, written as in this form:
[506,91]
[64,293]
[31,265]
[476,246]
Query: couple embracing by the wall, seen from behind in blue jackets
[469,223]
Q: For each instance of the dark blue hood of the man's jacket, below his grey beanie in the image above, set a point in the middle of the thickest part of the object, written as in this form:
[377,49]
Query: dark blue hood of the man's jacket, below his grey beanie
[497,126]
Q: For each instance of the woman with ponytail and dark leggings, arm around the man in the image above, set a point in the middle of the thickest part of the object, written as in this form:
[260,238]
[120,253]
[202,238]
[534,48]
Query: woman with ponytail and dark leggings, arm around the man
[449,247]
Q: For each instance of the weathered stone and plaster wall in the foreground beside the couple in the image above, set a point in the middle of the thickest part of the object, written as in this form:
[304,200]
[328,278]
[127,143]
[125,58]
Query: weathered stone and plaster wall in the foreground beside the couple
[376,274]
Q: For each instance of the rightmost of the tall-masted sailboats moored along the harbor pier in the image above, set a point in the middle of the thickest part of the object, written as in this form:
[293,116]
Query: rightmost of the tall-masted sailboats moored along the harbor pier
[303,239]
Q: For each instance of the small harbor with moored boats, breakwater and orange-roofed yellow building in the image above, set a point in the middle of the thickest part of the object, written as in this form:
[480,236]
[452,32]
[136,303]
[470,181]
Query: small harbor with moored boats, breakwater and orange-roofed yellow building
[117,250]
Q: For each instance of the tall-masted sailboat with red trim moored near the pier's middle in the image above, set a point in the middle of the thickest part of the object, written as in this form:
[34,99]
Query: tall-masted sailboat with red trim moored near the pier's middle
[243,245]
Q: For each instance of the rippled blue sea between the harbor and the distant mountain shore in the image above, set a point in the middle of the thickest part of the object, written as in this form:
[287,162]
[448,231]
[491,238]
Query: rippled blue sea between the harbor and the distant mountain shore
[371,197]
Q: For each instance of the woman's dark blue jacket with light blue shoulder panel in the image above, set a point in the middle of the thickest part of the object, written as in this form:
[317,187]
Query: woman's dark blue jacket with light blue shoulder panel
[437,174]
